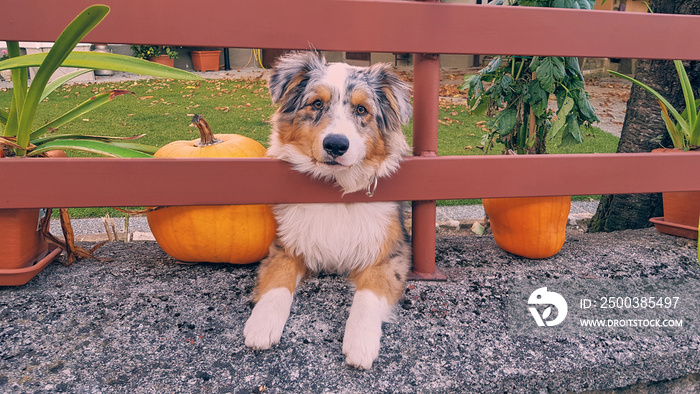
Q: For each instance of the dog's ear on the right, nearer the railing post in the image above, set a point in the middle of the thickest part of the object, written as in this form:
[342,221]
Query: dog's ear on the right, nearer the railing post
[395,96]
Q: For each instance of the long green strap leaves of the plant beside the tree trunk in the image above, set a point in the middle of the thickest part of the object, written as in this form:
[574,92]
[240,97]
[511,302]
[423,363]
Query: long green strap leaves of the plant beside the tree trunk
[684,127]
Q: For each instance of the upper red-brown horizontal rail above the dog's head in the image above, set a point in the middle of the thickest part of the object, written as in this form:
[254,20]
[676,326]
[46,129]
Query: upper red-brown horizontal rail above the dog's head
[367,26]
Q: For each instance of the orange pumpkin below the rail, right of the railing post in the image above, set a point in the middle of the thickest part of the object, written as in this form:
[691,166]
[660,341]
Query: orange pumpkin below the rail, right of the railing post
[532,227]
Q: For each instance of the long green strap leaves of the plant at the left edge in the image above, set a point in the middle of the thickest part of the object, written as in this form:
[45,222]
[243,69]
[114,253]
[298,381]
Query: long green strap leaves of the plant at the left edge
[19,134]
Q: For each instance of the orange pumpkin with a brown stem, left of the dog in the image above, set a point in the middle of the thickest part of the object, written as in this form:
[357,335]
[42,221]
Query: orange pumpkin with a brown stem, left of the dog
[237,234]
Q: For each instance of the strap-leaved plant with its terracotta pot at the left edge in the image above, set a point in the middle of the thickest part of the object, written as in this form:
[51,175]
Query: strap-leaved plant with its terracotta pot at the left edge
[20,140]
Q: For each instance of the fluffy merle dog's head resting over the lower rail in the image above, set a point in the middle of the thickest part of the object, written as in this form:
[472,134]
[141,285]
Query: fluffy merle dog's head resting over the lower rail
[338,122]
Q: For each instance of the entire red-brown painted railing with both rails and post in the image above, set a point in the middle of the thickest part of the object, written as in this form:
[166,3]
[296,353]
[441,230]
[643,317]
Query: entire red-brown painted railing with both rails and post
[376,26]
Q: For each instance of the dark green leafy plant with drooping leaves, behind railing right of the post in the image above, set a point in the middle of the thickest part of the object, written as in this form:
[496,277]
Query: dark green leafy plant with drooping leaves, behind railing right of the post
[519,91]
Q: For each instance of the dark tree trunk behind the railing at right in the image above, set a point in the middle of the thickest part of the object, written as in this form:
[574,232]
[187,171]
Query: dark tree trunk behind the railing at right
[642,125]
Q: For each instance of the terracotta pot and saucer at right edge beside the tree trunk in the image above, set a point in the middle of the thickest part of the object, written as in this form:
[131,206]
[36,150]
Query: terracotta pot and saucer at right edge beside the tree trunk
[681,210]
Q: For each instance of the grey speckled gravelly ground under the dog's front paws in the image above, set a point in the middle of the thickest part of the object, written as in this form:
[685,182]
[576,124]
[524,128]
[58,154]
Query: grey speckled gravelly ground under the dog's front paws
[144,323]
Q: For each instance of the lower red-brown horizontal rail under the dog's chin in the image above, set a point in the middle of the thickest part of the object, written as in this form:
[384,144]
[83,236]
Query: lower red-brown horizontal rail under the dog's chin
[135,182]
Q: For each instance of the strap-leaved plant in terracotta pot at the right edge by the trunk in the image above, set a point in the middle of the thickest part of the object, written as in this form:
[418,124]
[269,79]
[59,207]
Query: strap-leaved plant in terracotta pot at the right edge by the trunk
[681,209]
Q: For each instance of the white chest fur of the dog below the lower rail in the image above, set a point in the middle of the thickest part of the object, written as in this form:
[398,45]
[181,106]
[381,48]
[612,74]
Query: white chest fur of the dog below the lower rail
[335,237]
